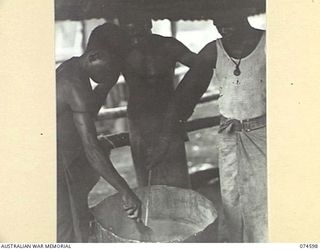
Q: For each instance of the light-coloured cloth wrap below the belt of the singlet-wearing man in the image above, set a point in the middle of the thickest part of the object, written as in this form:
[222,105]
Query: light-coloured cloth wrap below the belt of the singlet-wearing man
[243,180]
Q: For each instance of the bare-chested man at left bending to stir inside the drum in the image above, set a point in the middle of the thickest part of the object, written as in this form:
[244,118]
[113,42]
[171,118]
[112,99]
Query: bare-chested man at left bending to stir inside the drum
[80,157]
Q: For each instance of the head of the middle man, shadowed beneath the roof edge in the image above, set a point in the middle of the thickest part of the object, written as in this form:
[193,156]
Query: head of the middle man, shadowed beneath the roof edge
[136,25]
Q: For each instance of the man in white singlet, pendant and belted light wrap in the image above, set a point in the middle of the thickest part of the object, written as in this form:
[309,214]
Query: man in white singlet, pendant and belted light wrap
[240,70]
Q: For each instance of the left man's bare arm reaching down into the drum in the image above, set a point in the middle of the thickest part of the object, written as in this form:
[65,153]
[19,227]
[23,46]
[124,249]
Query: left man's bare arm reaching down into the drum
[98,160]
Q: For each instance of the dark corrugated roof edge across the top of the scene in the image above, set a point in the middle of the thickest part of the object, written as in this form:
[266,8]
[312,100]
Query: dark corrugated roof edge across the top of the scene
[158,9]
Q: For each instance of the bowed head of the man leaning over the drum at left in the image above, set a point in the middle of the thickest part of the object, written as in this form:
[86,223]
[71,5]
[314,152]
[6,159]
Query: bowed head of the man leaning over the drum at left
[103,53]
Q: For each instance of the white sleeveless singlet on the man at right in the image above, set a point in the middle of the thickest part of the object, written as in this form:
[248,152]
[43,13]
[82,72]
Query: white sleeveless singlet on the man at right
[244,96]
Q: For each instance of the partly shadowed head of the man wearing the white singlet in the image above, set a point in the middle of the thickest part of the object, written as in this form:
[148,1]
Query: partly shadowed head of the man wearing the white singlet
[231,24]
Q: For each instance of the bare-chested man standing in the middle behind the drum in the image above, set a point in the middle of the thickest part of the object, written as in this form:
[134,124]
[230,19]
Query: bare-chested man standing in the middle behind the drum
[154,109]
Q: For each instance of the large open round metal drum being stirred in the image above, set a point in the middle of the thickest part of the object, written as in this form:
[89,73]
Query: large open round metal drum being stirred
[175,215]
